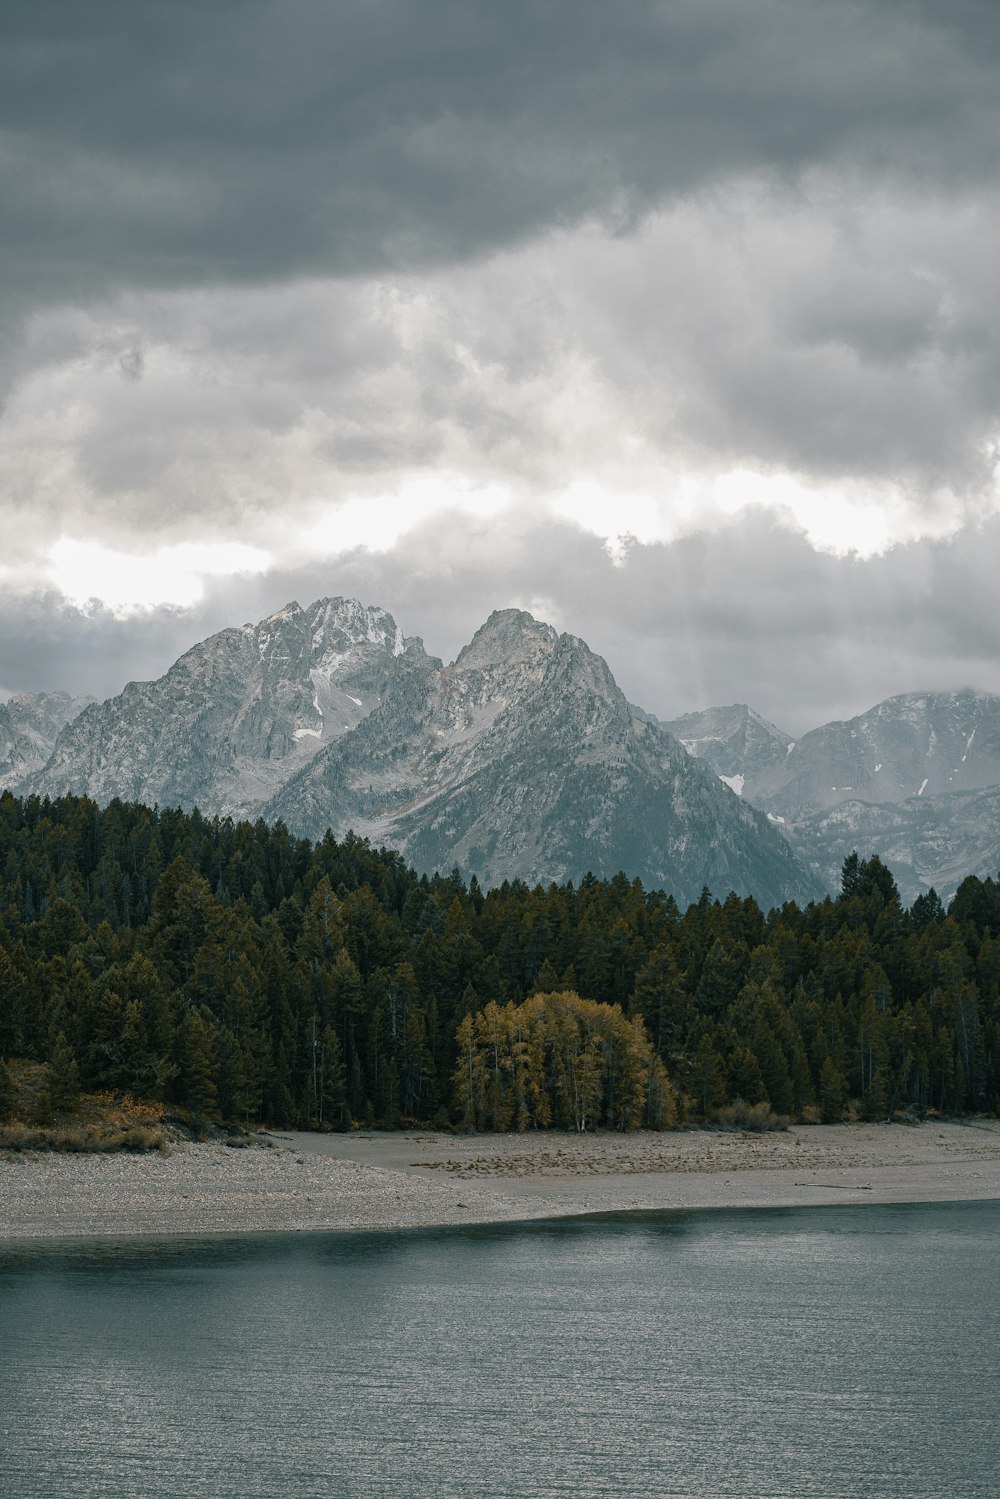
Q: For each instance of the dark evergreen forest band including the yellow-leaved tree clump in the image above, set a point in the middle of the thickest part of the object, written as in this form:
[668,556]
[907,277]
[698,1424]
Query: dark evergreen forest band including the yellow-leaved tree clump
[239,974]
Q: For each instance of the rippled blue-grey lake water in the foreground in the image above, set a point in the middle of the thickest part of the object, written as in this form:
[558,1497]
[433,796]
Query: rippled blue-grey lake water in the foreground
[843,1351]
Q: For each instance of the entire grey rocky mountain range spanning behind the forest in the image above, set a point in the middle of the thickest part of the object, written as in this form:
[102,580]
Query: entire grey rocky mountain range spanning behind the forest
[522,759]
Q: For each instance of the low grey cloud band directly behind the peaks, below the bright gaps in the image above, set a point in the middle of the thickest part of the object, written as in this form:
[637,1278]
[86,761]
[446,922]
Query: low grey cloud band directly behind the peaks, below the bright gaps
[750,615]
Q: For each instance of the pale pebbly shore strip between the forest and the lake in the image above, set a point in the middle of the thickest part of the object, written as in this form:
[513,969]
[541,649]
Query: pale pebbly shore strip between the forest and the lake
[373,1180]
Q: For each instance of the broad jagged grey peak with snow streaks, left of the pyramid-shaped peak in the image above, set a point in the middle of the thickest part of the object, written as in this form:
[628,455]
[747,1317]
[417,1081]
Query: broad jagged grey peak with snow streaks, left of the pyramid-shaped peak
[236,716]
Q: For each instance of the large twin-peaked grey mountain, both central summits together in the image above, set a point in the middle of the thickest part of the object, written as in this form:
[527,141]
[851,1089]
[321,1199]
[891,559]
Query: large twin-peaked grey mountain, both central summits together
[519,761]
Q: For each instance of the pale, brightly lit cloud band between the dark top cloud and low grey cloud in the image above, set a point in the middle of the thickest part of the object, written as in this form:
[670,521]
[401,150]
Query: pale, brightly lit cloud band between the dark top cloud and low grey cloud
[825,356]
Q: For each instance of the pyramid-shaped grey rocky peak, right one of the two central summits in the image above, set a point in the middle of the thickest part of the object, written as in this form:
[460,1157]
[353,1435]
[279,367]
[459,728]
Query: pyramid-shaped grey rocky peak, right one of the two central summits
[524,759]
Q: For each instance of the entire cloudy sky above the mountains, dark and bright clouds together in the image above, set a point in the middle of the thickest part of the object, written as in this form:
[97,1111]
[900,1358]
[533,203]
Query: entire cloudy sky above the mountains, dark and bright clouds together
[675,323]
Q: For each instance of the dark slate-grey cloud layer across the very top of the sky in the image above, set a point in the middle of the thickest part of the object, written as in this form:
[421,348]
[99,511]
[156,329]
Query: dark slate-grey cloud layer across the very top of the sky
[190,145]
